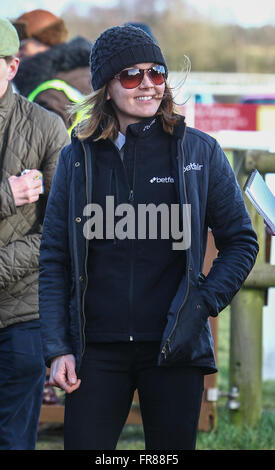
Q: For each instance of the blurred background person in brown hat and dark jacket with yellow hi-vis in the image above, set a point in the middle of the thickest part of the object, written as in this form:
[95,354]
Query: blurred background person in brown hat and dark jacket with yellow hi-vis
[53,73]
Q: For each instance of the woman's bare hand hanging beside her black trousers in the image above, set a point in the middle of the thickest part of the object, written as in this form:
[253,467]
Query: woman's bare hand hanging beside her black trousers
[63,373]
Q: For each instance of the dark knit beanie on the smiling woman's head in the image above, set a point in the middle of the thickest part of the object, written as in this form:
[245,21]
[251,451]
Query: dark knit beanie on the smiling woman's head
[120,47]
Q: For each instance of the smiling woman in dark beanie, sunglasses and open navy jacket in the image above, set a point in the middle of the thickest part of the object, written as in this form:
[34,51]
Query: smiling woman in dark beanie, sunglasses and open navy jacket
[124,306]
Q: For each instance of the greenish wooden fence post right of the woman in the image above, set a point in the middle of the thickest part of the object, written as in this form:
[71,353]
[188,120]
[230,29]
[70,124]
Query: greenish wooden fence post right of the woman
[246,331]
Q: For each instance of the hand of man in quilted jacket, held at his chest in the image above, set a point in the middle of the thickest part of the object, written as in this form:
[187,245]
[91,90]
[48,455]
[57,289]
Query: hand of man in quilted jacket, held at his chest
[26,188]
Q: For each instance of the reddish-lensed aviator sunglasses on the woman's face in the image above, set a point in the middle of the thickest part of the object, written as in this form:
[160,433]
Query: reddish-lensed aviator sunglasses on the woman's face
[132,78]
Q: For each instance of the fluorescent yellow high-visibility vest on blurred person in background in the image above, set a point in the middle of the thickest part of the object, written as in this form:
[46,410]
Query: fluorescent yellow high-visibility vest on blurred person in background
[72,94]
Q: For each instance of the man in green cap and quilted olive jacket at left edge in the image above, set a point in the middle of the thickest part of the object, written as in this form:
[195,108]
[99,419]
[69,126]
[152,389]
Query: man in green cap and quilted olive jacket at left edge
[30,139]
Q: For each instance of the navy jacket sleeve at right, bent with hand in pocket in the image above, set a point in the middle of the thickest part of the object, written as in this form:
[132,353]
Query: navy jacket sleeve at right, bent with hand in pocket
[234,236]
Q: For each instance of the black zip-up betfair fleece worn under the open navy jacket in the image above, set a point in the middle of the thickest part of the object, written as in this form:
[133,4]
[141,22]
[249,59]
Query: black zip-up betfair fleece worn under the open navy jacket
[141,276]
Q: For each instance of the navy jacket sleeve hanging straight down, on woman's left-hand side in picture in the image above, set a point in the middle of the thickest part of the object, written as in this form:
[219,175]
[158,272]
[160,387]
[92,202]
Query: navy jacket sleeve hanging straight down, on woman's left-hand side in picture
[54,277]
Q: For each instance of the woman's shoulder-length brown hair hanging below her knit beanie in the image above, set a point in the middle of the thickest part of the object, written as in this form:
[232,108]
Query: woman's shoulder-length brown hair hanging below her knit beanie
[101,121]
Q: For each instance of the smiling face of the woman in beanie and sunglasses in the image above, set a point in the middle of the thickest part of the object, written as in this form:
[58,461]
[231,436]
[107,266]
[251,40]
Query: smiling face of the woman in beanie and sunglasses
[133,105]
